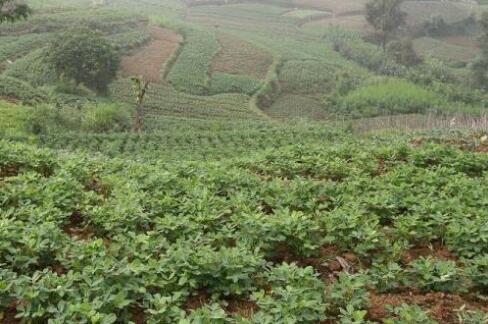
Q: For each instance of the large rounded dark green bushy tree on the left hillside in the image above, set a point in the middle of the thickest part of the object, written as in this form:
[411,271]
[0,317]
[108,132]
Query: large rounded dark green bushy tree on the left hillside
[84,57]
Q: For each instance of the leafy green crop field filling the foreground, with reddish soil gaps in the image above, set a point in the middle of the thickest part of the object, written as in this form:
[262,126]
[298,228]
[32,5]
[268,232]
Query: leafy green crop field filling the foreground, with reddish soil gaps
[298,234]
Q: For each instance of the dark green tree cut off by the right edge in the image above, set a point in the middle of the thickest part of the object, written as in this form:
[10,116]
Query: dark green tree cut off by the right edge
[479,68]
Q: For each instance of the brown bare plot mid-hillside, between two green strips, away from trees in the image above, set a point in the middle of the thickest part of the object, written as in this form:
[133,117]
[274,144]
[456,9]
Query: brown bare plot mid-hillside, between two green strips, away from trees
[237,56]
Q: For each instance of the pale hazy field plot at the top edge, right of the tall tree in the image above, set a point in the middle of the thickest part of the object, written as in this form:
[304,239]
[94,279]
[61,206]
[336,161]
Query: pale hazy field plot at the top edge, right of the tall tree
[419,12]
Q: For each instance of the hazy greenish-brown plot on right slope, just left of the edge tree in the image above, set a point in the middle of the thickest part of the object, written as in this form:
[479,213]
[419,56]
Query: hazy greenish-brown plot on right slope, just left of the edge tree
[446,49]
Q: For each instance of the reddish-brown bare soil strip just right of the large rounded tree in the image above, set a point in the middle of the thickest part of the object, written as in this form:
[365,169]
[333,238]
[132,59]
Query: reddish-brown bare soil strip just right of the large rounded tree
[148,60]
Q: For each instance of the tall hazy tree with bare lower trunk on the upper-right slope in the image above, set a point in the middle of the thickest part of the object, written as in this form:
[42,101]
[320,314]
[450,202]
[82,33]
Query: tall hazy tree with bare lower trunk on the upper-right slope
[386,17]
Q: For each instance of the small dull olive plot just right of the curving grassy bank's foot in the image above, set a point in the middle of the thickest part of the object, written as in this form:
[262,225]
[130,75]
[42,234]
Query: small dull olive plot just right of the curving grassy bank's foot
[289,106]
